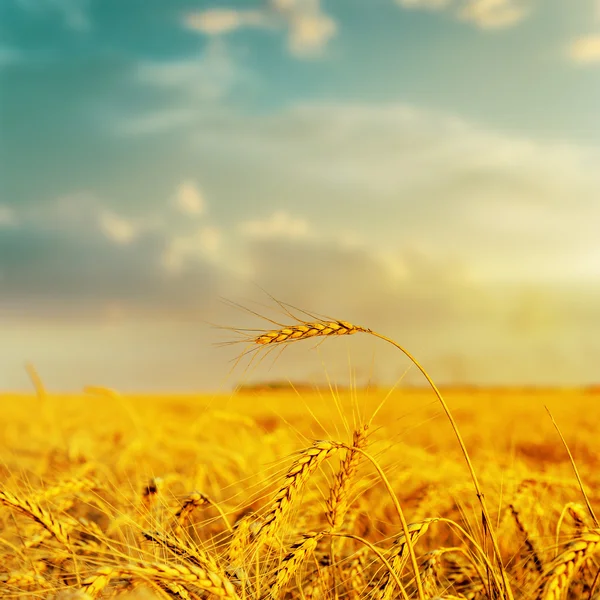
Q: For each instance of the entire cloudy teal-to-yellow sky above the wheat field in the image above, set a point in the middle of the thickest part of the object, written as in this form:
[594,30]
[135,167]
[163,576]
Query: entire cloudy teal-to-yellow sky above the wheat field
[426,168]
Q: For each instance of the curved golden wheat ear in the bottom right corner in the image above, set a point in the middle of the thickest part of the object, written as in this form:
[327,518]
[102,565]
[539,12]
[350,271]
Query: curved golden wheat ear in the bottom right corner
[564,567]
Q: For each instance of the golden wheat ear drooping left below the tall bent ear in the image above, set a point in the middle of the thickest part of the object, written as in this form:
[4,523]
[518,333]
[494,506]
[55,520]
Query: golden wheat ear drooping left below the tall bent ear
[296,477]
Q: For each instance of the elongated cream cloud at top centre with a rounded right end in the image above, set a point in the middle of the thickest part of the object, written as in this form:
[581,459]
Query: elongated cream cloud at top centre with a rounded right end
[309,28]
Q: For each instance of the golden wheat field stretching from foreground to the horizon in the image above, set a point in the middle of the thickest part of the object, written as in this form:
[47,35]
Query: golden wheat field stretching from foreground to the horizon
[298,494]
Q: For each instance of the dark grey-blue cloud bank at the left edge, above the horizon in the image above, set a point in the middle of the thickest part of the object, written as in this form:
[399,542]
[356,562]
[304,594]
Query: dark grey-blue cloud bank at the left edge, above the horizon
[66,267]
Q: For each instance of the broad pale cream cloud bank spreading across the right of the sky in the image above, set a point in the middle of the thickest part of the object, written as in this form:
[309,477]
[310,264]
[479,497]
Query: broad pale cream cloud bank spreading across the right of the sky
[408,175]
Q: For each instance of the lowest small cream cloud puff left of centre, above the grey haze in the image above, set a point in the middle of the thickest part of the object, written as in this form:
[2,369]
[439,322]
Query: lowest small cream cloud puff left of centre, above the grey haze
[202,244]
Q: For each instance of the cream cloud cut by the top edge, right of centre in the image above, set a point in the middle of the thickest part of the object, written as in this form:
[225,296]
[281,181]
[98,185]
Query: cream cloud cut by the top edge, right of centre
[486,14]
